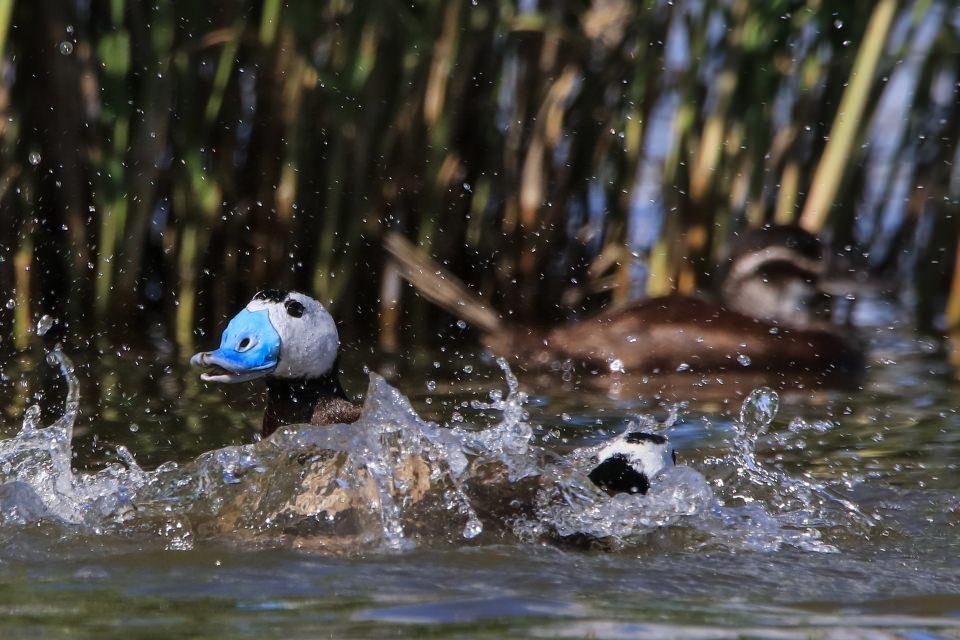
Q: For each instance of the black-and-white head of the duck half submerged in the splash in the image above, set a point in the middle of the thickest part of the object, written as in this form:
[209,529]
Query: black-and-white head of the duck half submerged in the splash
[630,461]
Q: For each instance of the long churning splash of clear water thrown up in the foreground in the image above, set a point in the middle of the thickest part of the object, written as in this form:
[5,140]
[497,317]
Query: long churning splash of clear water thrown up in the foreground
[393,480]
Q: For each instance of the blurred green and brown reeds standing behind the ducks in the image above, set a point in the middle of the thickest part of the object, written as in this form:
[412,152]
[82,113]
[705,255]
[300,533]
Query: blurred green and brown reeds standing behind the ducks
[161,161]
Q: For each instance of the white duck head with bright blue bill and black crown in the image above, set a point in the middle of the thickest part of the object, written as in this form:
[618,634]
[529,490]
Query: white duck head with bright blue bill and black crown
[280,334]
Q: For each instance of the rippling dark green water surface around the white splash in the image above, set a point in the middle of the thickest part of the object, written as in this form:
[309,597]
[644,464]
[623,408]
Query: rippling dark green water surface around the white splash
[893,448]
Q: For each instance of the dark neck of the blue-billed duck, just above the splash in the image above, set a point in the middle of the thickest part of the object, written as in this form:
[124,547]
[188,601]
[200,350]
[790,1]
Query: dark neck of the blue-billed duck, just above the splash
[297,401]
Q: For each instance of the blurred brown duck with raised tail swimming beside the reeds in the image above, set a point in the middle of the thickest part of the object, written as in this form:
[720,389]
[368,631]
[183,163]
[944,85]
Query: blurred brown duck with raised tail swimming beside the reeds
[772,317]
